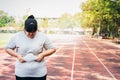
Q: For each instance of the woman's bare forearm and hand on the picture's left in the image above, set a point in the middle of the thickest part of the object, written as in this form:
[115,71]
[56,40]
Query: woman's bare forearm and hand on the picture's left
[14,54]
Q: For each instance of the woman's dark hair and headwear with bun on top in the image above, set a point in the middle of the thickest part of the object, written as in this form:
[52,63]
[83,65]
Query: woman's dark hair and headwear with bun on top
[30,24]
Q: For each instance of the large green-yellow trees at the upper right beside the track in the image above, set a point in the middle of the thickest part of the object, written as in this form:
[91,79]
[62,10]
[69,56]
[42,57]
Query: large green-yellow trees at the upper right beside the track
[103,14]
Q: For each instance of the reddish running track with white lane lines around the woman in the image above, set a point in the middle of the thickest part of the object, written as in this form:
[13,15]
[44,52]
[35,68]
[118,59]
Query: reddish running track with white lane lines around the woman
[77,58]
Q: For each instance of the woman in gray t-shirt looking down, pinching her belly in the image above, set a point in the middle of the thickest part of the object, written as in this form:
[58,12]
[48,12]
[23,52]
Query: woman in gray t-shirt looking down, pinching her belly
[27,46]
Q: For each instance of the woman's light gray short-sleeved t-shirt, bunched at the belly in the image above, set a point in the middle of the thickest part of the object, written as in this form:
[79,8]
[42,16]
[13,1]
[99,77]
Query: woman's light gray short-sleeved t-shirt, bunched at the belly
[26,46]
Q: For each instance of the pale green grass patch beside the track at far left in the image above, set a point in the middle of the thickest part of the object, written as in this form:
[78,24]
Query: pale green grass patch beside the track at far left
[4,39]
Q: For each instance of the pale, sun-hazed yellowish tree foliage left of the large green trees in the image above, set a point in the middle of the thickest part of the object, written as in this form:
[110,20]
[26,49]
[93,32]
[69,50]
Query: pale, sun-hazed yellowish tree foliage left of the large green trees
[69,21]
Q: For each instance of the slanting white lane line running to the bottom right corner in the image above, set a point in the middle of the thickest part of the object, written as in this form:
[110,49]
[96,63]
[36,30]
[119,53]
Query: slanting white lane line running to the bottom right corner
[101,62]
